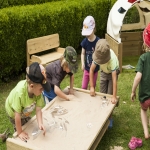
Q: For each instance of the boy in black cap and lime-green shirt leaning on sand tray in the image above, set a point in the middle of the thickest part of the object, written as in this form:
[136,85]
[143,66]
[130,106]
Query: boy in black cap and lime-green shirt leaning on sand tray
[25,97]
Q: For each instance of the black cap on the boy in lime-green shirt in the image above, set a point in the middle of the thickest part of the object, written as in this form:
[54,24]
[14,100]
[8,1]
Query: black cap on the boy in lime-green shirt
[36,76]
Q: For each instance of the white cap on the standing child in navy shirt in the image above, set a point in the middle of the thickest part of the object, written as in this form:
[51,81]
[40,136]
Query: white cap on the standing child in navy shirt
[88,26]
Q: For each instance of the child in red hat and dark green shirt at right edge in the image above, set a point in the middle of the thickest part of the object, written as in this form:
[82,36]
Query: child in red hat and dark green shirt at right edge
[142,79]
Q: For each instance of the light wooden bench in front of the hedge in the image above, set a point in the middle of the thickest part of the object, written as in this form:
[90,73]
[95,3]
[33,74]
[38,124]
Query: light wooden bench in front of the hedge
[42,44]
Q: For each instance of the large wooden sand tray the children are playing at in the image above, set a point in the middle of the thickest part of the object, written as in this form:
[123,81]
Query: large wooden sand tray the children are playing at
[78,124]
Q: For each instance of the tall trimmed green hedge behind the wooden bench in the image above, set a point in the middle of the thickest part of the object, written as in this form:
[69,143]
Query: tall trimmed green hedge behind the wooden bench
[18,24]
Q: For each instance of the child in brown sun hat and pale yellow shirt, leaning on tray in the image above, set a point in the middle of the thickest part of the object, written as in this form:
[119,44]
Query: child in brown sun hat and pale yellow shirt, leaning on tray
[109,70]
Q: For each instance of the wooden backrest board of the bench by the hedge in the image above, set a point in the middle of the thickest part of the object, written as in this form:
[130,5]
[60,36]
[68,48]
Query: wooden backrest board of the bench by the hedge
[42,43]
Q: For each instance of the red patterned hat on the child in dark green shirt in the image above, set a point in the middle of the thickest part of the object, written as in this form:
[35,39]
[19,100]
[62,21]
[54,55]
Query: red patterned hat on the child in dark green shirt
[146,36]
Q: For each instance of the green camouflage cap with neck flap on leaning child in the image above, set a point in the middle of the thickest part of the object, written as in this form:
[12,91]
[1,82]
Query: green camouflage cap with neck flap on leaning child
[70,55]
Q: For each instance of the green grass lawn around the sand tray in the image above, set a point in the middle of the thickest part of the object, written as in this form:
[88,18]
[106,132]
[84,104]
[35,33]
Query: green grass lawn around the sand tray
[127,122]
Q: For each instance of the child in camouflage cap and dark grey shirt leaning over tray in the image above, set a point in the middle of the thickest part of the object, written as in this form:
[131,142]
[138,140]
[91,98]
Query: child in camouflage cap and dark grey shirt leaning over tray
[57,70]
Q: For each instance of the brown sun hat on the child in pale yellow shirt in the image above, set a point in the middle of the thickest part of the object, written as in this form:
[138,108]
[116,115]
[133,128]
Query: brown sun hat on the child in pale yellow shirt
[101,54]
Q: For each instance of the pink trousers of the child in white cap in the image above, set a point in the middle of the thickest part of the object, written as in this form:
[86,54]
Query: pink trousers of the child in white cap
[86,79]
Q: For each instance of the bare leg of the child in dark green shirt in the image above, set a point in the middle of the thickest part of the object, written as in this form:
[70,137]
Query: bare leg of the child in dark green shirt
[145,123]
